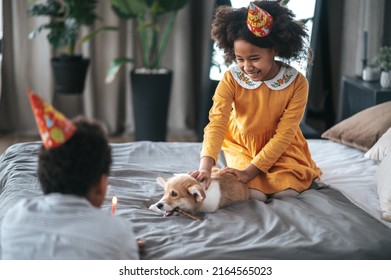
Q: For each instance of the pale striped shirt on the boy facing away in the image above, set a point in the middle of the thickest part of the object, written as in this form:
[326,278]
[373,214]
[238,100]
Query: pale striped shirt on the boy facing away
[58,226]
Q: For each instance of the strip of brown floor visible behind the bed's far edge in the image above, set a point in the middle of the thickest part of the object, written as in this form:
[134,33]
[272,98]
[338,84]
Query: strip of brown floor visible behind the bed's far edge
[7,140]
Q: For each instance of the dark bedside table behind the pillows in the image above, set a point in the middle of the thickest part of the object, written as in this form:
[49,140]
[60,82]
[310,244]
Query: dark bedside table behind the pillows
[358,95]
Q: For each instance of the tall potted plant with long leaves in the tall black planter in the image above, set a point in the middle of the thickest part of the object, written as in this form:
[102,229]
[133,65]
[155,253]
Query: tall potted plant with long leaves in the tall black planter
[151,83]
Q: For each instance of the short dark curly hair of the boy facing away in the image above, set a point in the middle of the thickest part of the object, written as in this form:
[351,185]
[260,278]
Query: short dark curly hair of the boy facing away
[77,165]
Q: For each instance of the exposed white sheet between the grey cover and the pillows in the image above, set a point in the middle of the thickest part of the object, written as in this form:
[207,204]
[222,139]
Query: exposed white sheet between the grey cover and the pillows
[345,168]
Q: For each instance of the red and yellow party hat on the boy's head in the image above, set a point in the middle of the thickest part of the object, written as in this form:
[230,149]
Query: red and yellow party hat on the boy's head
[53,126]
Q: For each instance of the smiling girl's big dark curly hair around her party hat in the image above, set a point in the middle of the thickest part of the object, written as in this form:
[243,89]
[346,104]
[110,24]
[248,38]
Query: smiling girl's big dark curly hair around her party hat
[288,37]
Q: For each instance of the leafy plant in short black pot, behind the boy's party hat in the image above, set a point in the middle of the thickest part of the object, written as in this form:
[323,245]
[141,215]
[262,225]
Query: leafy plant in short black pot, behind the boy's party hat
[66,18]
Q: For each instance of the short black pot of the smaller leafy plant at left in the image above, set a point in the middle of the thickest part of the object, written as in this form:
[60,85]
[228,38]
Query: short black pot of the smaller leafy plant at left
[69,73]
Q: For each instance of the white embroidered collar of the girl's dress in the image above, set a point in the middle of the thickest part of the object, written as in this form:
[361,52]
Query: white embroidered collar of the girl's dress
[284,78]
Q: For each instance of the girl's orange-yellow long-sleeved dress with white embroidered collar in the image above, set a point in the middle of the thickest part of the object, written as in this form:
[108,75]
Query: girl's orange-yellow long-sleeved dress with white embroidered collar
[258,123]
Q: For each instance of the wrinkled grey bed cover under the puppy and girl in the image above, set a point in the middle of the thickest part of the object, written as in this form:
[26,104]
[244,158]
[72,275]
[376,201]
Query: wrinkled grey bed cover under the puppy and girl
[321,223]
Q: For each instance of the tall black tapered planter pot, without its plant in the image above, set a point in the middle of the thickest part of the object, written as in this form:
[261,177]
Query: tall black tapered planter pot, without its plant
[151,95]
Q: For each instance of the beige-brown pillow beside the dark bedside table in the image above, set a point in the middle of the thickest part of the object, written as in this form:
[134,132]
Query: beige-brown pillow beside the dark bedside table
[363,129]
